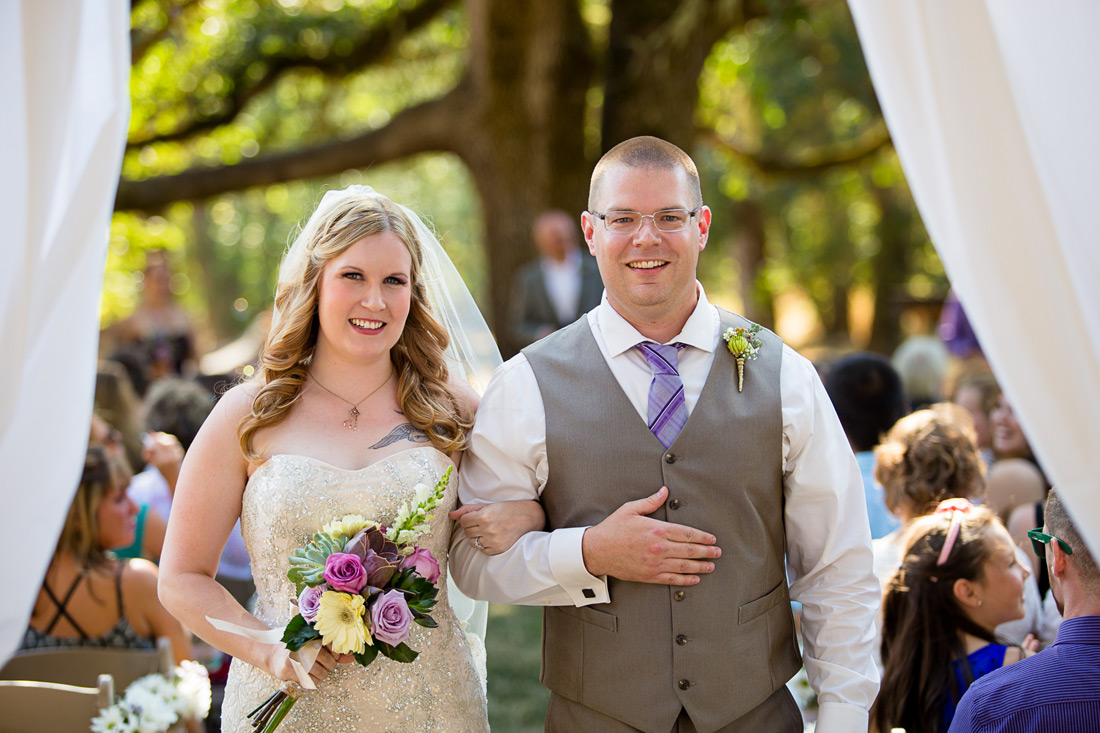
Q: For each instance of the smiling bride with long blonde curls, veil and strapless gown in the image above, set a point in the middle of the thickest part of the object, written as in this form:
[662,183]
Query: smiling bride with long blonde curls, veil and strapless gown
[358,399]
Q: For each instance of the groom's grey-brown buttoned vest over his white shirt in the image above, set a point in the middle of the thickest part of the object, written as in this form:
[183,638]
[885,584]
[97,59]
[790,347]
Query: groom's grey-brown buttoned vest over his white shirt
[719,649]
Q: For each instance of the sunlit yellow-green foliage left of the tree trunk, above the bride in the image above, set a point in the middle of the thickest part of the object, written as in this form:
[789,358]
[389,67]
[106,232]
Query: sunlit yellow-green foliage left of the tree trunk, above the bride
[213,54]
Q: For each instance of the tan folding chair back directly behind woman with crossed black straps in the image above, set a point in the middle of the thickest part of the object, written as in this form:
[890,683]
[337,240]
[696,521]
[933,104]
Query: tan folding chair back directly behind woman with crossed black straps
[82,666]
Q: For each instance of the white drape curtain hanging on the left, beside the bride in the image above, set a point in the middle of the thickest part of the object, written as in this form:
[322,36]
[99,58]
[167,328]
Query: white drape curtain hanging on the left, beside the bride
[64,73]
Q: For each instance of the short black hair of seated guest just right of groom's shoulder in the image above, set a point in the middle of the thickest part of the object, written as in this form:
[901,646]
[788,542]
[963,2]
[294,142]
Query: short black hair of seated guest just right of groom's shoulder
[868,397]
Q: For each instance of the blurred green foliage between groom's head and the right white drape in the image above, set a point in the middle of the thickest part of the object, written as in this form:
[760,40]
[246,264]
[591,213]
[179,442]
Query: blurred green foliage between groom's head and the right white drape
[784,96]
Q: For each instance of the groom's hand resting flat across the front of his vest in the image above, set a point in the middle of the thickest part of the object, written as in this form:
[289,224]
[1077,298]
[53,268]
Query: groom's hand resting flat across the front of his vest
[631,546]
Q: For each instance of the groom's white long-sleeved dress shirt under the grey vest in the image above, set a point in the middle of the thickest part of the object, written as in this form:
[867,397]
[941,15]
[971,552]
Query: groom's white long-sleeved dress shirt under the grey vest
[829,553]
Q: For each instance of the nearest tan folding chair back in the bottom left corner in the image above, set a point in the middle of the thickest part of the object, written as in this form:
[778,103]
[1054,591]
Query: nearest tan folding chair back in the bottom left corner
[32,707]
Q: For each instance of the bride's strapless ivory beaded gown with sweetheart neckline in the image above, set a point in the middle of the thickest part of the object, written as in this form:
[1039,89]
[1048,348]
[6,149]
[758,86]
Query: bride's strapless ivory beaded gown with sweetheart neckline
[288,500]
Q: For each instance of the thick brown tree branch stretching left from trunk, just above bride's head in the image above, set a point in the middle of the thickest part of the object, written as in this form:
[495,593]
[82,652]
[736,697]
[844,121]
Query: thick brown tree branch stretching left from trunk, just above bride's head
[435,126]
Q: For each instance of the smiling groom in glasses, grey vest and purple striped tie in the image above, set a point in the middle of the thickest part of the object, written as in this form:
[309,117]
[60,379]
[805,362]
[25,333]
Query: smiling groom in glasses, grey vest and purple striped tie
[673,612]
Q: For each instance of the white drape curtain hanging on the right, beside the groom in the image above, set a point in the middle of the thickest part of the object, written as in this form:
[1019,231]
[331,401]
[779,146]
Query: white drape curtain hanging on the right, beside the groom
[993,107]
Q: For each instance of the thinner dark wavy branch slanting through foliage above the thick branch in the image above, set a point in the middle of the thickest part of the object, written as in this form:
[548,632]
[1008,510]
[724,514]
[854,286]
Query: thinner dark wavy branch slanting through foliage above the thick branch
[373,46]
